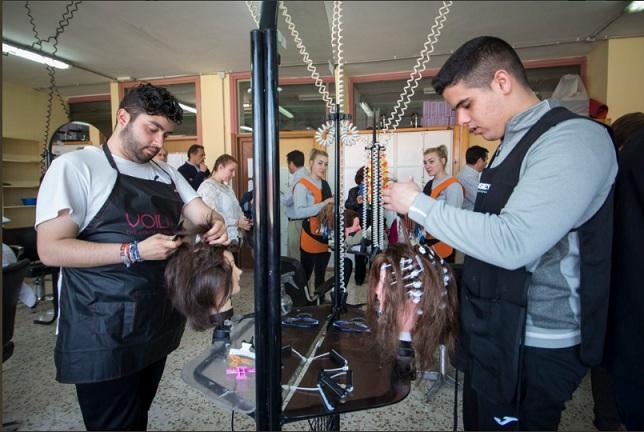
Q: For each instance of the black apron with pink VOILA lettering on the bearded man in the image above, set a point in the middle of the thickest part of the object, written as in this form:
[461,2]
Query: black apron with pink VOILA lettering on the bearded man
[116,320]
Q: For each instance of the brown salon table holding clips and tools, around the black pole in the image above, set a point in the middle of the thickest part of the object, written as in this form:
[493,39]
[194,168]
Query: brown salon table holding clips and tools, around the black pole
[371,383]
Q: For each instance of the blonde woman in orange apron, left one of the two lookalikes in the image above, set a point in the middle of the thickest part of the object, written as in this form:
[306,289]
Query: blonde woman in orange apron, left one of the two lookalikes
[311,194]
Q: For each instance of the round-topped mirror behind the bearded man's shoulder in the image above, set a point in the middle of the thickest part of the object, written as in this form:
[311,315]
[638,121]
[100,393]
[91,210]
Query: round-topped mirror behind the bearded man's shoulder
[73,136]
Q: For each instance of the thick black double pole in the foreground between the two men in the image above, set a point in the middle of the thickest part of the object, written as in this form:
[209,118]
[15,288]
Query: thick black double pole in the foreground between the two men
[266,217]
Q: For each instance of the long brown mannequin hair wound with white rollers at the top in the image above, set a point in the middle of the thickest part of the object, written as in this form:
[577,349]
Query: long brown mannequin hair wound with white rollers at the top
[438,323]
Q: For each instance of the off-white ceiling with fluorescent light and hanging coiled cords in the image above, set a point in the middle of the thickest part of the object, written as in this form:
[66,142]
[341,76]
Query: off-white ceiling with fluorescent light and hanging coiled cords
[143,39]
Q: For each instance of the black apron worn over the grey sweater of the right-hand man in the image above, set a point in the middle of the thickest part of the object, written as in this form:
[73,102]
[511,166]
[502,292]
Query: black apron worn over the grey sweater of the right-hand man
[493,300]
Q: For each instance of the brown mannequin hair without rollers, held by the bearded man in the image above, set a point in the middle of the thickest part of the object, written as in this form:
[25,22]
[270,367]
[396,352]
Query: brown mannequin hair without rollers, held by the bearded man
[198,278]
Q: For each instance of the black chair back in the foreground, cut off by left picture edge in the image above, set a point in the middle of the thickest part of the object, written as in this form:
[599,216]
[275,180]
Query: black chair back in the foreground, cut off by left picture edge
[12,277]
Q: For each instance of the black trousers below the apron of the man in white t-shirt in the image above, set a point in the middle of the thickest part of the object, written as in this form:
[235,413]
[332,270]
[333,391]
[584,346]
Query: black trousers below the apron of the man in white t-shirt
[122,403]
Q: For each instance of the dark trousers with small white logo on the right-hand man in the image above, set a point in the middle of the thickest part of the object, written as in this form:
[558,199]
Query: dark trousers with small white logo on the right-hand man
[548,379]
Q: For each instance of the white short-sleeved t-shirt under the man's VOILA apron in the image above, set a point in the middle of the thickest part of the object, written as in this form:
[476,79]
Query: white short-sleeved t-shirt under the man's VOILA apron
[81,181]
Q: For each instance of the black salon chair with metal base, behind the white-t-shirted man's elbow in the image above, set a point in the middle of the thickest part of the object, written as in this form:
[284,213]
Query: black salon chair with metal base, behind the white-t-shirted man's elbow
[37,271]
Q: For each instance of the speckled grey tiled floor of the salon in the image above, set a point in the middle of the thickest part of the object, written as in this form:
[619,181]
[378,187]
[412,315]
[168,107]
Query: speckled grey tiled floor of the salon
[31,394]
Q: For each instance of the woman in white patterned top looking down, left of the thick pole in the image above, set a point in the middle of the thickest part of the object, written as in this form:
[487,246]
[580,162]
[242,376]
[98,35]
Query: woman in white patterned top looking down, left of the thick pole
[218,194]
